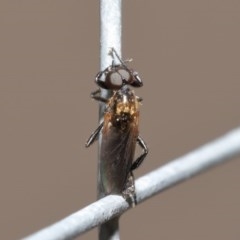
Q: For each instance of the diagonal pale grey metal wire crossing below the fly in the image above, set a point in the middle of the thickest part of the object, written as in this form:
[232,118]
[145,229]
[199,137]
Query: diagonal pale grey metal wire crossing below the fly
[220,150]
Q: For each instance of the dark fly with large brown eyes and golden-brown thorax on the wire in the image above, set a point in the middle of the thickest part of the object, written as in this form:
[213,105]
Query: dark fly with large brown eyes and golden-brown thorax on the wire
[119,130]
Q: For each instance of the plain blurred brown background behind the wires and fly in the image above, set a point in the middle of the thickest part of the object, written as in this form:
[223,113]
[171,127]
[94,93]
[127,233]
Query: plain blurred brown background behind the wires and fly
[188,55]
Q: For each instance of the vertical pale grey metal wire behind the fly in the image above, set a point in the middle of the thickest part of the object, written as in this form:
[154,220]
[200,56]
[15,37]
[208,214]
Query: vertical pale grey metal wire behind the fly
[111,24]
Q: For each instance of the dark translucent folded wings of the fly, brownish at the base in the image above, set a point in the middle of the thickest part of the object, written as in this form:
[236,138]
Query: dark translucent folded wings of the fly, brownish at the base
[117,153]
